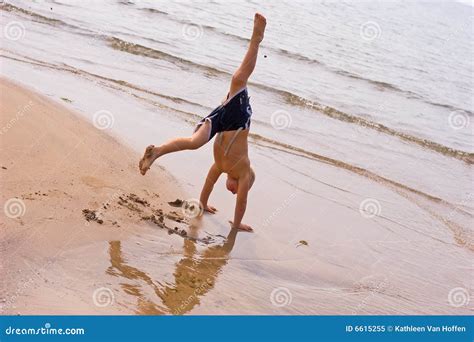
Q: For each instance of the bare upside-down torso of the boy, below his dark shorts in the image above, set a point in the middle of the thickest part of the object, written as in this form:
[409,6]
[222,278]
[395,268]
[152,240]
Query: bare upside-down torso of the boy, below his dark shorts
[236,162]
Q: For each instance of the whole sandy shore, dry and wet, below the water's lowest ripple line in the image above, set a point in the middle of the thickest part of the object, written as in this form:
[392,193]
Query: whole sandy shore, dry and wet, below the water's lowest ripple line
[93,236]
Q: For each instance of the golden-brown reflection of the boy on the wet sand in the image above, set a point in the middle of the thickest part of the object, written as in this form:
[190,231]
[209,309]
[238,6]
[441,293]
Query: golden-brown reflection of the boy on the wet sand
[194,276]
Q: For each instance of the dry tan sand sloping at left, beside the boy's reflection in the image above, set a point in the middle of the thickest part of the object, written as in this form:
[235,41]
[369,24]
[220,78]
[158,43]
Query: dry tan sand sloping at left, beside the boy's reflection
[53,167]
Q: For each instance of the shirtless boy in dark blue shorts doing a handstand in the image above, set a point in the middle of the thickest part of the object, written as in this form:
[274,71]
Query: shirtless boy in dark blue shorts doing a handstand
[231,121]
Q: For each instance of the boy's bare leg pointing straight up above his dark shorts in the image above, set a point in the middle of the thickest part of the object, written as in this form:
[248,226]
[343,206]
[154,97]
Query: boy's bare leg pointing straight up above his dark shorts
[242,74]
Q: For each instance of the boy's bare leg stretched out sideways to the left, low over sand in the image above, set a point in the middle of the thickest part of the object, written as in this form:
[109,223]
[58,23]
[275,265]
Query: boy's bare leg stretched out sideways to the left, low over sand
[199,138]
